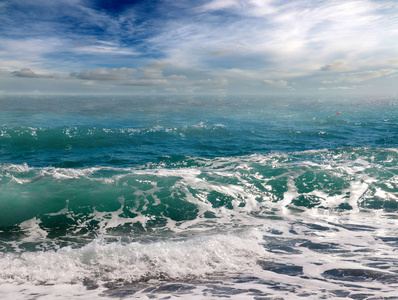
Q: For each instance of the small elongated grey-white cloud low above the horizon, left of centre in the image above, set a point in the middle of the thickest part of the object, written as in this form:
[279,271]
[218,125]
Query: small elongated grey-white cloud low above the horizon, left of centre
[104,74]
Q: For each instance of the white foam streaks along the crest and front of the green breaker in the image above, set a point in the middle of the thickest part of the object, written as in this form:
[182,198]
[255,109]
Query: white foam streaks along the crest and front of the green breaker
[239,179]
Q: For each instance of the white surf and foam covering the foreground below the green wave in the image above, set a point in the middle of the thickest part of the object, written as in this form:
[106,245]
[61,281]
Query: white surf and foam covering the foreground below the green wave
[235,264]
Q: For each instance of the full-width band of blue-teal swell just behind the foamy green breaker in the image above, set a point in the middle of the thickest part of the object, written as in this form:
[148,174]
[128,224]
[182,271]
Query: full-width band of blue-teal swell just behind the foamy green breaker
[88,146]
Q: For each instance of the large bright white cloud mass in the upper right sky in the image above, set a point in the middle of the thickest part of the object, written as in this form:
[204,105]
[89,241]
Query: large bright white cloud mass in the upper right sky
[298,36]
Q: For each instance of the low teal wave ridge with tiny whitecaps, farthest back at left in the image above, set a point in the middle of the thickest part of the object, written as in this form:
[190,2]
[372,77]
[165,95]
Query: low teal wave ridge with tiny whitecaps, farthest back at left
[68,137]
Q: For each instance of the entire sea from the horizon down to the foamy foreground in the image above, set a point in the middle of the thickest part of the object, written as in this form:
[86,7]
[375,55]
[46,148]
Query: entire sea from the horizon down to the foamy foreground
[198,197]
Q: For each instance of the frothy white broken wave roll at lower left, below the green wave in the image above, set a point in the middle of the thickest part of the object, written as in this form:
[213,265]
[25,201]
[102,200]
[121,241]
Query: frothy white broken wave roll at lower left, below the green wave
[196,257]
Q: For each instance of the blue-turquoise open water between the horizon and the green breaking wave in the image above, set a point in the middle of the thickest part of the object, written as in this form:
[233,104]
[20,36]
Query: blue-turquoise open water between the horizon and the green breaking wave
[78,132]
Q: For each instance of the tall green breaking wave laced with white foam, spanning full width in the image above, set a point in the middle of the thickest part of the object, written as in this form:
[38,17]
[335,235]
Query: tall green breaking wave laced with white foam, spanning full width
[179,190]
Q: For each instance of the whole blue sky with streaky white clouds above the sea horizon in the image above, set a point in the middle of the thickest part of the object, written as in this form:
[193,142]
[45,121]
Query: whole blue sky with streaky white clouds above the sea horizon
[296,47]
